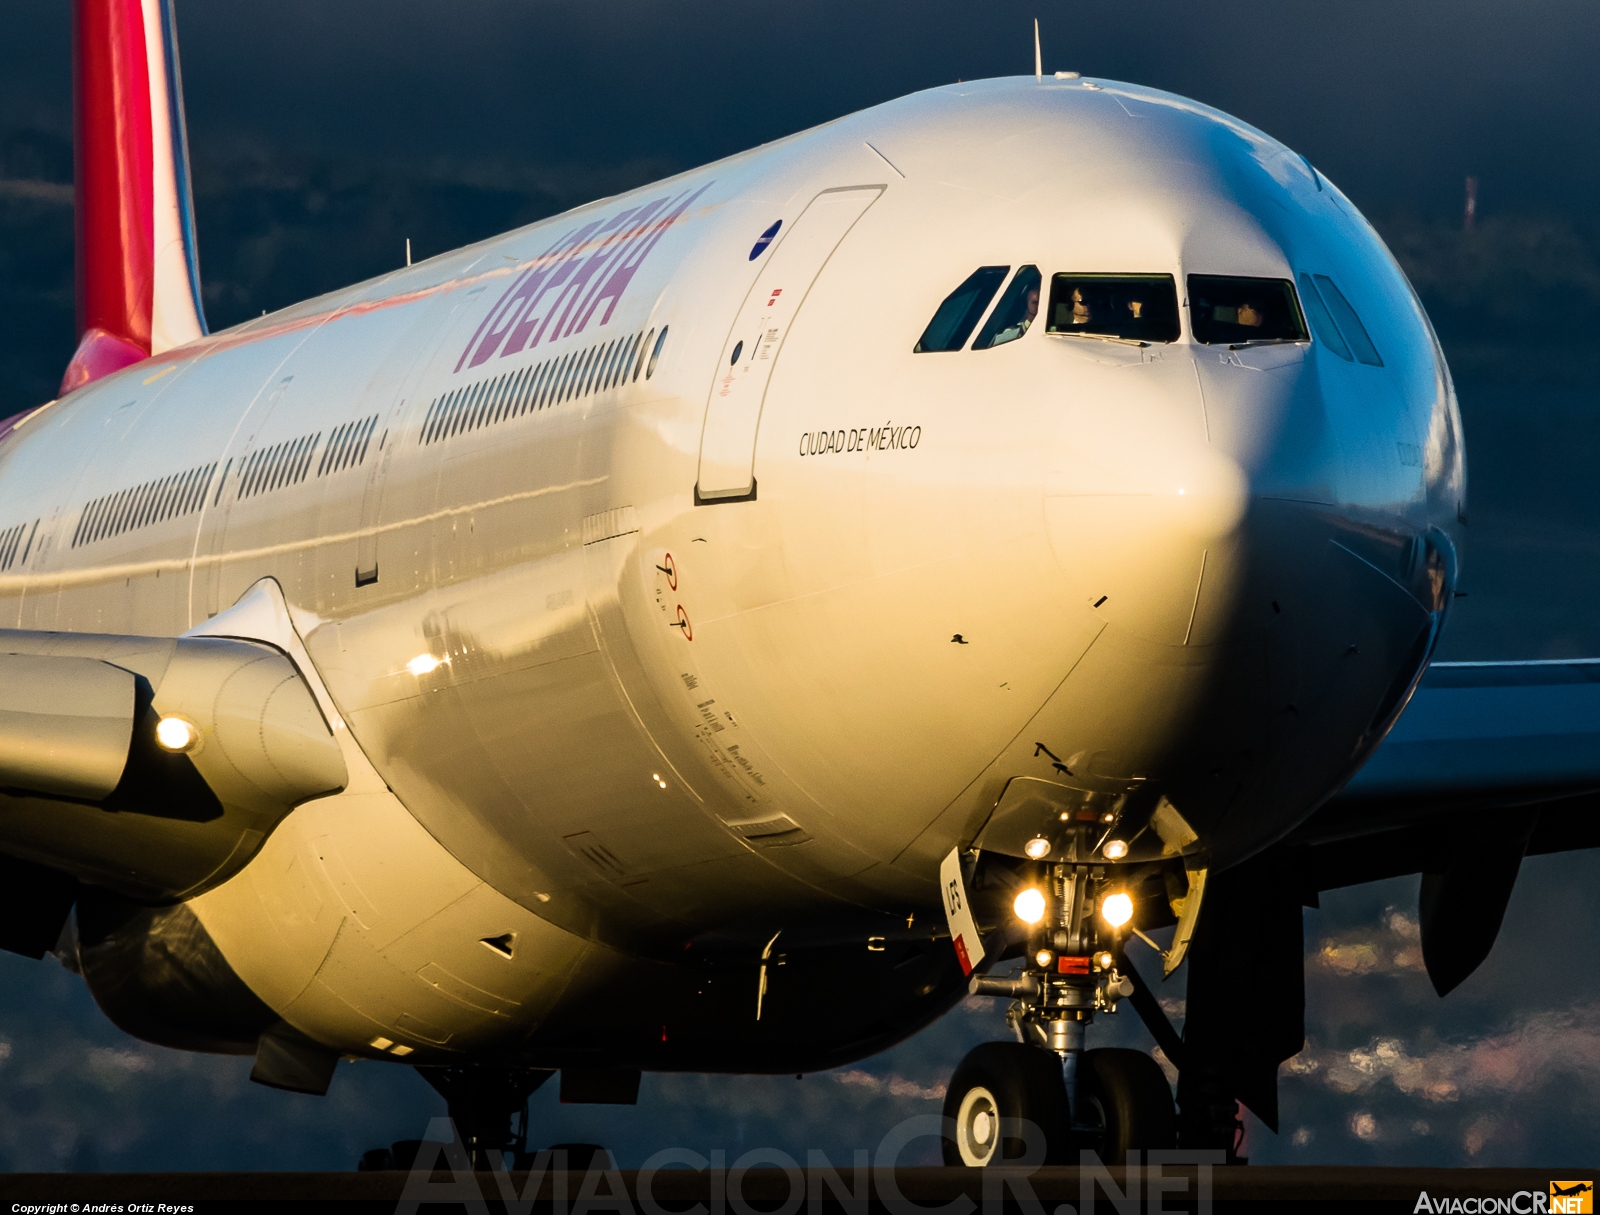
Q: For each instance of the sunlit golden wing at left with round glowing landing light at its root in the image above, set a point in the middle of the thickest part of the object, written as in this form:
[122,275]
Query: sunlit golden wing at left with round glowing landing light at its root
[154,766]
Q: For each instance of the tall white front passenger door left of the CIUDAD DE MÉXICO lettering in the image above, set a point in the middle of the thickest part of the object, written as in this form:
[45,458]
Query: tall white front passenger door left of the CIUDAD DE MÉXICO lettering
[734,411]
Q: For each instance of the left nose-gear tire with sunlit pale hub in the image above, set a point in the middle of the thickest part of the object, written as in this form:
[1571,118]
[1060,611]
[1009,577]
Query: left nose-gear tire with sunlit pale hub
[1007,1081]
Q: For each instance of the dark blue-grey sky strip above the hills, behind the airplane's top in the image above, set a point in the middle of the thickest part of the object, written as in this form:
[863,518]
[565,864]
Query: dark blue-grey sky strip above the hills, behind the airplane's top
[1396,100]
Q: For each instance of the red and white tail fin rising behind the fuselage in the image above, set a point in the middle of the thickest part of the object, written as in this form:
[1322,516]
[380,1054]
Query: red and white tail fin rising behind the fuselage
[138,270]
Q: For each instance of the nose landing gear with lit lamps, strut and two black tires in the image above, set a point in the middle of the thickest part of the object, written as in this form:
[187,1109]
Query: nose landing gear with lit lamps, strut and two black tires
[1111,1102]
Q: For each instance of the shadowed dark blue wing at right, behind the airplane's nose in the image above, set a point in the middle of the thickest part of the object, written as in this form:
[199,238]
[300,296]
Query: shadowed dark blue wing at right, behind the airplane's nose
[1490,763]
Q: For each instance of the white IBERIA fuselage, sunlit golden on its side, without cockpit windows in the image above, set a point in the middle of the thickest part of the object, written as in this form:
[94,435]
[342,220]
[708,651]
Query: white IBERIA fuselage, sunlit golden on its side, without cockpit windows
[638,654]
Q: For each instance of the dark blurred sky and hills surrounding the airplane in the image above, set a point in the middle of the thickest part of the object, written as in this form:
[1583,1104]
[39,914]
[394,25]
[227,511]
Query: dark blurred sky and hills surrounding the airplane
[326,135]
